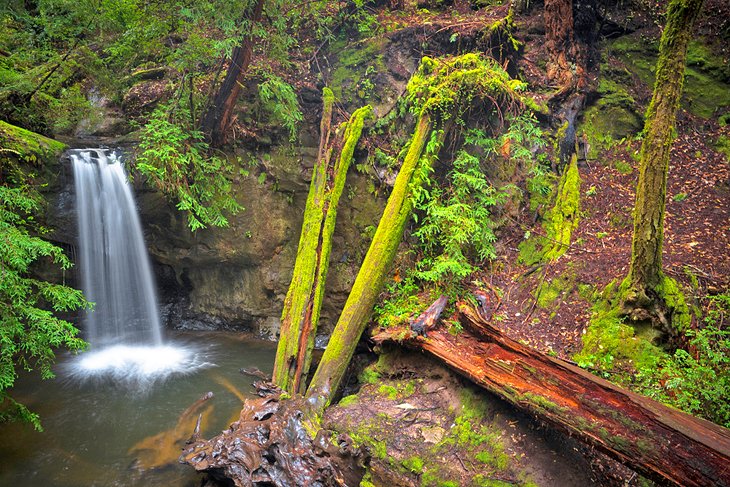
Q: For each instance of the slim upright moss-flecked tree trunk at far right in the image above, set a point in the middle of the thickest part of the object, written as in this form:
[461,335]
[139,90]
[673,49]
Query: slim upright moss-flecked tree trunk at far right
[645,272]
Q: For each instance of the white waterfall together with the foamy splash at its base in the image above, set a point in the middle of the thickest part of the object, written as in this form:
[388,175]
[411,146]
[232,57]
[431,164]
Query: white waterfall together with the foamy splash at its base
[123,329]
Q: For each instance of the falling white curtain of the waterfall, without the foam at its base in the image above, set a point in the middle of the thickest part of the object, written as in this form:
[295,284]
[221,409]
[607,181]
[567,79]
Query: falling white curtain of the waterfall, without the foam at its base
[114,265]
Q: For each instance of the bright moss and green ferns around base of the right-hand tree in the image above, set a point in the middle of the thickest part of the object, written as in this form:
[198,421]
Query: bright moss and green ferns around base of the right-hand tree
[695,379]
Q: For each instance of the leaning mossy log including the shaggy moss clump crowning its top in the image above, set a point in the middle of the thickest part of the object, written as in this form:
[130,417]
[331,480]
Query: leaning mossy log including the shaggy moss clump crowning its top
[440,92]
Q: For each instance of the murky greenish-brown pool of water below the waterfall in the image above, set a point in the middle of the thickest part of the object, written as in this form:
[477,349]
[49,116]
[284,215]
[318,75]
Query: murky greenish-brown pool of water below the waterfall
[113,430]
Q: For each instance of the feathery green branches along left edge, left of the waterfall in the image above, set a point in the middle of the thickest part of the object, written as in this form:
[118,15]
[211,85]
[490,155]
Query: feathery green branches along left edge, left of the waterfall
[30,330]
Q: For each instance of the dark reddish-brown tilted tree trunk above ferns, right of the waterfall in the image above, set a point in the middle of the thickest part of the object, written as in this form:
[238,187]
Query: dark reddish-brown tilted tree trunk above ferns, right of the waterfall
[219,116]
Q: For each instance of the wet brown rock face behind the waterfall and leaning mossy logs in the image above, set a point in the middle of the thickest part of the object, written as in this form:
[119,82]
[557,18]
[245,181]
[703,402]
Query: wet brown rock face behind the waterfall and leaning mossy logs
[234,277]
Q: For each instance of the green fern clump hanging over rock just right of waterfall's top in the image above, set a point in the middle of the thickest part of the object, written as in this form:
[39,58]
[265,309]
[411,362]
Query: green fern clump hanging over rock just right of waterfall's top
[176,161]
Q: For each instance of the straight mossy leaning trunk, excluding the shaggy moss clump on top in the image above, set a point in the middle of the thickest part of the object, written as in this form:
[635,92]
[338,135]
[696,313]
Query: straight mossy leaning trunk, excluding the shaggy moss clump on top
[377,262]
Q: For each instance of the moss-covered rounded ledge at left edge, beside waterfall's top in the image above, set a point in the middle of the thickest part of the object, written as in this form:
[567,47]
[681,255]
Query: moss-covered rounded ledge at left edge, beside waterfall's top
[28,146]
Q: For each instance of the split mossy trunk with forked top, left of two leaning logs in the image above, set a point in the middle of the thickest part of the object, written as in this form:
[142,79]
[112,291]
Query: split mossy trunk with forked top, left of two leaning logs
[303,302]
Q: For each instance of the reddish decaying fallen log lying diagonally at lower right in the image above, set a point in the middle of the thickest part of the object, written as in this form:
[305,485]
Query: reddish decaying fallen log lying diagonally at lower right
[660,442]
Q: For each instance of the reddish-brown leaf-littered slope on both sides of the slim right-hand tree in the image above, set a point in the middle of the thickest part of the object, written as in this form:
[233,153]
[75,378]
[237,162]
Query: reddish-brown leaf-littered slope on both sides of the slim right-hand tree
[696,239]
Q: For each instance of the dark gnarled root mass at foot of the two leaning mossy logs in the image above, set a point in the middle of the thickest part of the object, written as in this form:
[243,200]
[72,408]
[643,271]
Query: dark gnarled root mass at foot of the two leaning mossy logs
[276,441]
